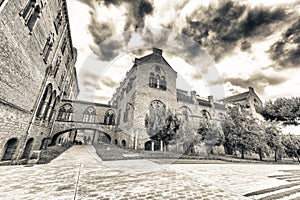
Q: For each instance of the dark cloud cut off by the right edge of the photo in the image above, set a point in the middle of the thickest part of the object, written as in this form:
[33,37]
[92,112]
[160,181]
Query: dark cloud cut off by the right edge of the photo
[286,51]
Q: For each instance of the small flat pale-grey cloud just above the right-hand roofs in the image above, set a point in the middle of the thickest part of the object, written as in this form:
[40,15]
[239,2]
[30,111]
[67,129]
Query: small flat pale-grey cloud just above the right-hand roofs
[258,80]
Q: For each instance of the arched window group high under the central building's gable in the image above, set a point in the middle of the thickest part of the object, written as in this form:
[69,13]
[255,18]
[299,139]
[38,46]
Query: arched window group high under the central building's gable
[157,78]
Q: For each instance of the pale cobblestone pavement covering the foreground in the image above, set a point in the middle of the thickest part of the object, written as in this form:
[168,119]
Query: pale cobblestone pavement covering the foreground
[80,174]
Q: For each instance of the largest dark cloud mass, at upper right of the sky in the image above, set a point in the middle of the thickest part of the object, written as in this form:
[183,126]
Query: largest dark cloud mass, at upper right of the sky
[223,27]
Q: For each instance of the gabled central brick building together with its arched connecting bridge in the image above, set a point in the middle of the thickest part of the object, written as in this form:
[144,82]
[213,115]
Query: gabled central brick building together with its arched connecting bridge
[138,109]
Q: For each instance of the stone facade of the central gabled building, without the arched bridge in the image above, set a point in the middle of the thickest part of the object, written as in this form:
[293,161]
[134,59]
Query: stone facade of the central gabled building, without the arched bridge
[150,81]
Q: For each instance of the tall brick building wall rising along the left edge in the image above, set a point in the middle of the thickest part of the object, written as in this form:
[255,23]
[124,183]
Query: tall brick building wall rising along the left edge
[37,70]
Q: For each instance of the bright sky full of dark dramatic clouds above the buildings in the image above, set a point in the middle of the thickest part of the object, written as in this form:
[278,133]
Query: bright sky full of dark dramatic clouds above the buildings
[238,43]
